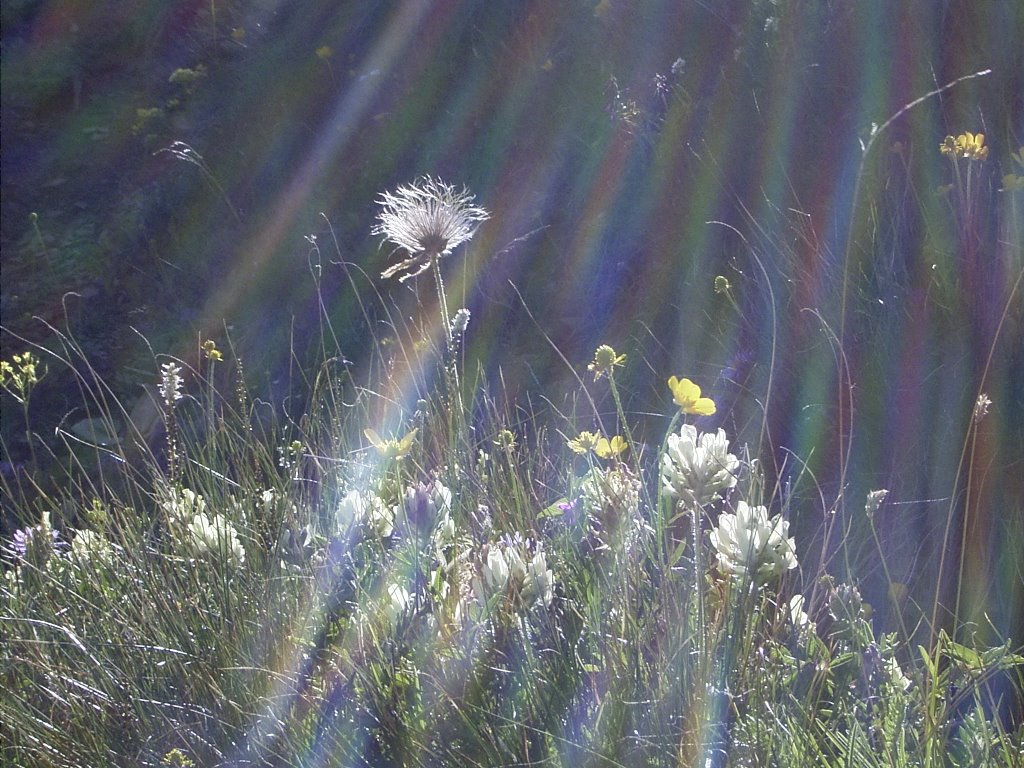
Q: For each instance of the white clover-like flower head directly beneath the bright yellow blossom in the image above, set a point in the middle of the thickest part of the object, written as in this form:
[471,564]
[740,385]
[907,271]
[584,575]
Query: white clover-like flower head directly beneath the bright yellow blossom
[698,468]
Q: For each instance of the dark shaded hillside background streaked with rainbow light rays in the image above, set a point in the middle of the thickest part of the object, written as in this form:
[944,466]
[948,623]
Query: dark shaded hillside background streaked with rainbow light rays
[604,138]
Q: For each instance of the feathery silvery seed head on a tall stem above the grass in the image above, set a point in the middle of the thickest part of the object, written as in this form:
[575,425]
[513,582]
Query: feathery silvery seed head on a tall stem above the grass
[430,220]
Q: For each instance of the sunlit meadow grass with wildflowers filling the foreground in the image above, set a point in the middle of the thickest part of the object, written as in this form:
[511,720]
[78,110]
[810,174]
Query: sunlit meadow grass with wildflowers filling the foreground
[403,569]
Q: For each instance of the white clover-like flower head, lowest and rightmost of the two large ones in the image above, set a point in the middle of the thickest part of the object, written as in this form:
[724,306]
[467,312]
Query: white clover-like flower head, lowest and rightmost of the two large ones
[752,545]
